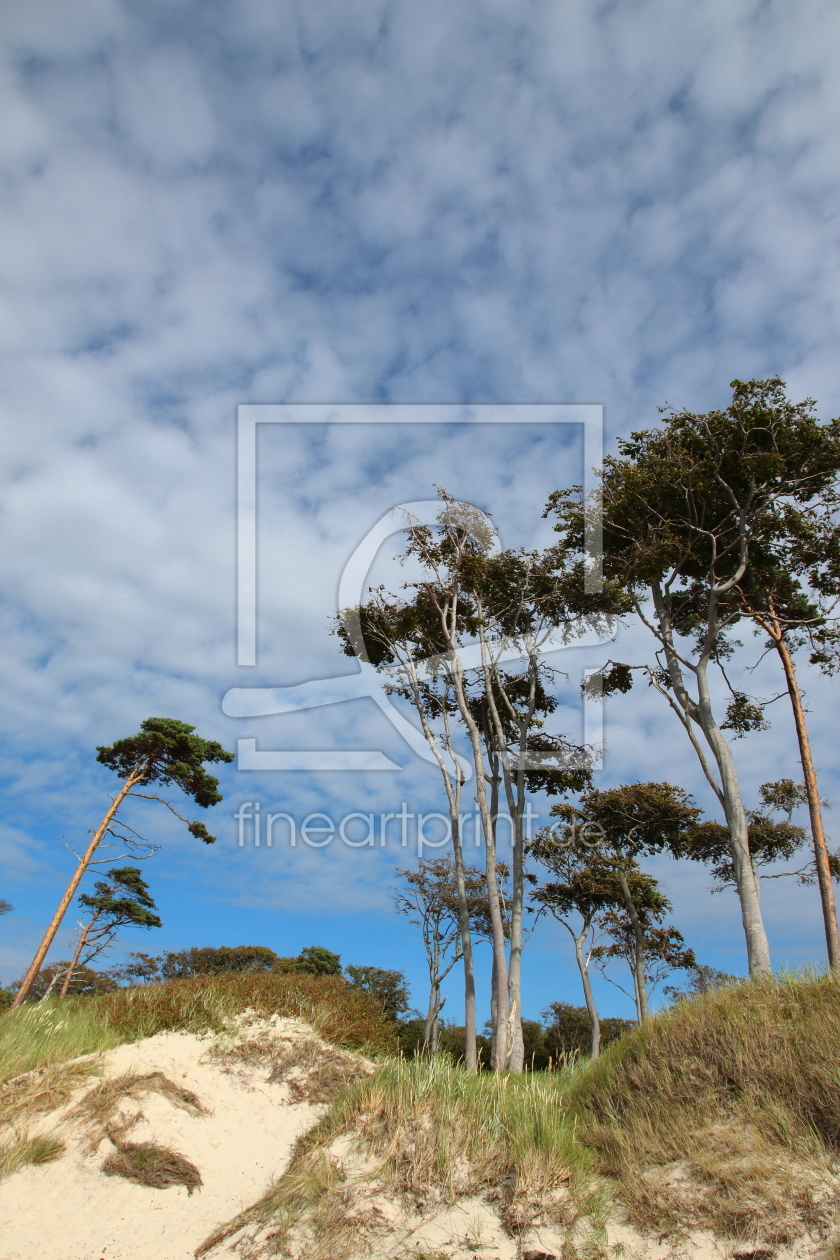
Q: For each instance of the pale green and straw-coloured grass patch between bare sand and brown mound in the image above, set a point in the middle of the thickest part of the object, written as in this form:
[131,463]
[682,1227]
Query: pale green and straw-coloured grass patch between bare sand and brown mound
[423,1133]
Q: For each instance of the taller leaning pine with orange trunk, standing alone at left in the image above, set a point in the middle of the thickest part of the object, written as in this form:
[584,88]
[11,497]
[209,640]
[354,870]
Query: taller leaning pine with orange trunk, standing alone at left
[164,752]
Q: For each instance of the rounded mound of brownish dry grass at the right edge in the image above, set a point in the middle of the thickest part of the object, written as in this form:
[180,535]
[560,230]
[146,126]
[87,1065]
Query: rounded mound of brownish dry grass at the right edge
[724,1113]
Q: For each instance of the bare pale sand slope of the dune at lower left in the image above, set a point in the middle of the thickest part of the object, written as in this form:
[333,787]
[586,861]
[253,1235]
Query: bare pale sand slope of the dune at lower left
[70,1210]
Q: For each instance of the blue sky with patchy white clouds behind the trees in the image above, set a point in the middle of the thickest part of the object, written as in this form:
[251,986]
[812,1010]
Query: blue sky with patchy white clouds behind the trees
[213,205]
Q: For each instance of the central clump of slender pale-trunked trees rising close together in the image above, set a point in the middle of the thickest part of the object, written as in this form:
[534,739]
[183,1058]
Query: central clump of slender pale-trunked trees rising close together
[449,644]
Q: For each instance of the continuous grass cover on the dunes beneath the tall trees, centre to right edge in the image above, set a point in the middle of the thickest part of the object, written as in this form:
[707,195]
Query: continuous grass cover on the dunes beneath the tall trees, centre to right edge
[722,1114]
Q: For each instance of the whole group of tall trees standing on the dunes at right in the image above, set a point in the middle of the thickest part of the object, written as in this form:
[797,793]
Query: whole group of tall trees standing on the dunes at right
[702,529]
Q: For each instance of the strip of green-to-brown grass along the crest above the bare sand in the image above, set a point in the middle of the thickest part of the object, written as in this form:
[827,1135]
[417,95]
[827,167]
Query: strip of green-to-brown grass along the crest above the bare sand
[56,1031]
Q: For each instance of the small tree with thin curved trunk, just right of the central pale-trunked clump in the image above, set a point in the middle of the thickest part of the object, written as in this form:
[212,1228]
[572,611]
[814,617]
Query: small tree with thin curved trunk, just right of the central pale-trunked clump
[584,886]
